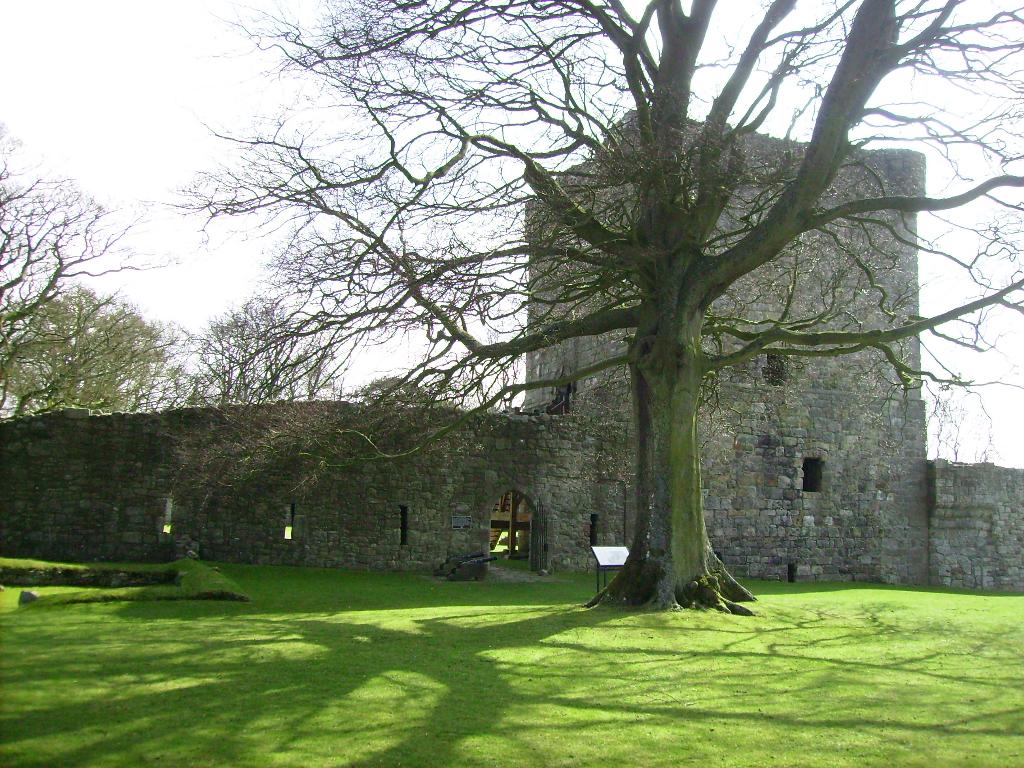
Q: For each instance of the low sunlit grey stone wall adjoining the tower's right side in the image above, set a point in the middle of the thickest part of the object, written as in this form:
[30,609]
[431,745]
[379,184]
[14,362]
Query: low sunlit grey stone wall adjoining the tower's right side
[977,527]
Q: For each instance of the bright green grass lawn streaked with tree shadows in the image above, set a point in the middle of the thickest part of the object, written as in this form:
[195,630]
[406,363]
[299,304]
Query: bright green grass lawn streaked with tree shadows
[328,668]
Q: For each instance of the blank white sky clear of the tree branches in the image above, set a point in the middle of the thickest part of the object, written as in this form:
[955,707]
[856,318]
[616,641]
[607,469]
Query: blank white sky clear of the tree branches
[122,96]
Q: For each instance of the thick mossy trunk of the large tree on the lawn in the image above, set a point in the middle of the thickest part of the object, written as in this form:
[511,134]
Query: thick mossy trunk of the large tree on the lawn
[671,562]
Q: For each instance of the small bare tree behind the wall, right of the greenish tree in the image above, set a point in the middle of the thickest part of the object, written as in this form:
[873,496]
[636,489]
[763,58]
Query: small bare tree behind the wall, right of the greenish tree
[252,355]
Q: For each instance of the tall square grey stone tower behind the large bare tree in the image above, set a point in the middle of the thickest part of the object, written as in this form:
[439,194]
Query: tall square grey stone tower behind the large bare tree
[814,468]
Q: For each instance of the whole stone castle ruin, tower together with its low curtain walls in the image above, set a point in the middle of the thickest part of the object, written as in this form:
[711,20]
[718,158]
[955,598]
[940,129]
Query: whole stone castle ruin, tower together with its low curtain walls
[814,471]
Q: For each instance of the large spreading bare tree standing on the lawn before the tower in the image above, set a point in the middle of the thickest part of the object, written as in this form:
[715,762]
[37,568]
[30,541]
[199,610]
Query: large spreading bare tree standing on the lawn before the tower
[598,166]
